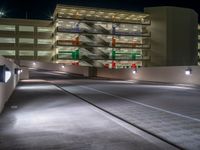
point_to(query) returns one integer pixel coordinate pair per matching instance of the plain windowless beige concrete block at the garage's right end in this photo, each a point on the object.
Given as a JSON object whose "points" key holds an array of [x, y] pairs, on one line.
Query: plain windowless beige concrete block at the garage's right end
{"points": [[173, 36]]}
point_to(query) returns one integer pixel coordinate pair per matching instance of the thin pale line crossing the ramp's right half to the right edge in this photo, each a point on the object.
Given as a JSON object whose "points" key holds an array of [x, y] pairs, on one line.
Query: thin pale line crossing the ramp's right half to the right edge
{"points": [[149, 106]]}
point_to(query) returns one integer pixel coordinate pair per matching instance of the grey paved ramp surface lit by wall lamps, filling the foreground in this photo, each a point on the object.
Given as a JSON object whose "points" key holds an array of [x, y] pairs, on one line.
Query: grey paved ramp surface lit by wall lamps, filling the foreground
{"points": [[70, 112]]}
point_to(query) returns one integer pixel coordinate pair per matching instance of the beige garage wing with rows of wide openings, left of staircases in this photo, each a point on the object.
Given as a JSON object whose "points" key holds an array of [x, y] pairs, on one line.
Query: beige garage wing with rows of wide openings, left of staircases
{"points": [[24, 39]]}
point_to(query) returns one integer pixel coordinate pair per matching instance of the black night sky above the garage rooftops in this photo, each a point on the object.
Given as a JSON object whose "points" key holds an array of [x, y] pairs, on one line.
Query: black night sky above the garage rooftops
{"points": [[42, 9]]}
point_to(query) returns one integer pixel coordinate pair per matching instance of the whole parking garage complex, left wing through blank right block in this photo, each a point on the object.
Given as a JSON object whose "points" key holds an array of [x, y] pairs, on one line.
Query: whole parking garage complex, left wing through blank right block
{"points": [[104, 38]]}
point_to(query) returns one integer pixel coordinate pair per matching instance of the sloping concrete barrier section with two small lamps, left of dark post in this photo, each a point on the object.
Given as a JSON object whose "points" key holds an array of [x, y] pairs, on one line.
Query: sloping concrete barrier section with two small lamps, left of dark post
{"points": [[56, 67]]}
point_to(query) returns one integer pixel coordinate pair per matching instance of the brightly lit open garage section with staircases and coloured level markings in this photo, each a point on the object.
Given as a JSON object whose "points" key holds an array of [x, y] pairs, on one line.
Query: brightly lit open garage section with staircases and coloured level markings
{"points": [[101, 37]]}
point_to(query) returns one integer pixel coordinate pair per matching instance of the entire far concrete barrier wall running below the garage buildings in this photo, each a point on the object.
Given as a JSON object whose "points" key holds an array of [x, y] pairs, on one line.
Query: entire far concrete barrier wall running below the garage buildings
{"points": [[174, 74]]}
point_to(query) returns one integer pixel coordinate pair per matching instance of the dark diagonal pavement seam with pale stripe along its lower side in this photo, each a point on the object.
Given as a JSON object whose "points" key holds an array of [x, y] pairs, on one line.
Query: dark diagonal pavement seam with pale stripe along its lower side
{"points": [[145, 134]]}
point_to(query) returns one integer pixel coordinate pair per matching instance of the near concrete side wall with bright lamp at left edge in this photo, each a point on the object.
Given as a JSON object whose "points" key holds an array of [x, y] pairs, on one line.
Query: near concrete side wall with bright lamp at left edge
{"points": [[6, 89]]}
